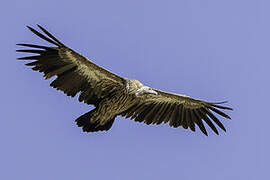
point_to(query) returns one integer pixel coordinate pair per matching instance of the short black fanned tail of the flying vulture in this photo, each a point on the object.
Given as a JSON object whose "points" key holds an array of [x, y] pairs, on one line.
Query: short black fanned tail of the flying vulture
{"points": [[84, 121]]}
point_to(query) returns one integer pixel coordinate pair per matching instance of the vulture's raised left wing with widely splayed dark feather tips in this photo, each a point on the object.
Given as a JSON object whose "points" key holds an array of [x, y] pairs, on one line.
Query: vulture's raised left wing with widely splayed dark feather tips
{"points": [[74, 72]]}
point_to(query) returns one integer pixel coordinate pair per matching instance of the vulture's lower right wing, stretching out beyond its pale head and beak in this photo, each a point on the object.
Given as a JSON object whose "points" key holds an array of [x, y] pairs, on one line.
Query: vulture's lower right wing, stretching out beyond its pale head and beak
{"points": [[178, 110]]}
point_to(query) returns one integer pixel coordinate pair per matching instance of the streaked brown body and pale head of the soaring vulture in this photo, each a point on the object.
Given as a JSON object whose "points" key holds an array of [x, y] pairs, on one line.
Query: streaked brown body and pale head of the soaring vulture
{"points": [[116, 103]]}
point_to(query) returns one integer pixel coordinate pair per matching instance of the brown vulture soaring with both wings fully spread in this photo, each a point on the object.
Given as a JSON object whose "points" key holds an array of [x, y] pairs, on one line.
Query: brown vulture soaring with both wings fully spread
{"points": [[113, 95]]}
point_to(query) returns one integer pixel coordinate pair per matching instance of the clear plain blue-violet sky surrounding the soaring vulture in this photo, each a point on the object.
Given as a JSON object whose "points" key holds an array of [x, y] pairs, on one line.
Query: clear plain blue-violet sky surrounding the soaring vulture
{"points": [[210, 49]]}
